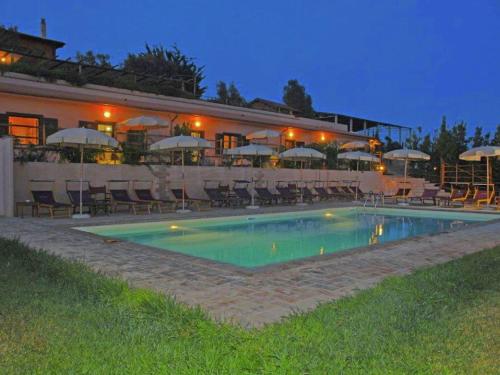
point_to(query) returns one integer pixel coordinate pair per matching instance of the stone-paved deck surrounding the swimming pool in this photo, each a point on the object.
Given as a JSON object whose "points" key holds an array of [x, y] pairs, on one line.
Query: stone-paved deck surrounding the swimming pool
{"points": [[246, 297]]}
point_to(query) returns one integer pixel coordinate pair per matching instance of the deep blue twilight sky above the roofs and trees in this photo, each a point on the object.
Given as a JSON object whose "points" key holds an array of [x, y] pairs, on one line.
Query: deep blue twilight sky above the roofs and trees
{"points": [[401, 61]]}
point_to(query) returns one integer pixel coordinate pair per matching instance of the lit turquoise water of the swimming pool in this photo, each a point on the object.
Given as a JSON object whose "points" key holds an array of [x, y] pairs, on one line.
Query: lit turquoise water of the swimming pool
{"points": [[259, 240]]}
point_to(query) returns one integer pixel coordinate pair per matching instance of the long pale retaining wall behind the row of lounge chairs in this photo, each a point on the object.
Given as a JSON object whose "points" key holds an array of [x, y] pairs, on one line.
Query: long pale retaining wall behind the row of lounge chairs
{"points": [[166, 177]]}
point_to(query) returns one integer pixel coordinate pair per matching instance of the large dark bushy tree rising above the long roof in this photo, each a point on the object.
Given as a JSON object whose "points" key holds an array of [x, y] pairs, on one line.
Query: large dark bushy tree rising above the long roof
{"points": [[168, 64]]}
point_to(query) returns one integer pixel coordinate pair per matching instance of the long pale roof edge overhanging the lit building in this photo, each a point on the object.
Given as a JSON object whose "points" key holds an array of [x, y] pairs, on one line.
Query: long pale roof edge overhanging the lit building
{"points": [[22, 84]]}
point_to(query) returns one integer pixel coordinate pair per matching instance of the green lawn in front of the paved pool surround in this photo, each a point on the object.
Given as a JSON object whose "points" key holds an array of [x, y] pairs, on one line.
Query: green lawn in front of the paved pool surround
{"points": [[59, 317]]}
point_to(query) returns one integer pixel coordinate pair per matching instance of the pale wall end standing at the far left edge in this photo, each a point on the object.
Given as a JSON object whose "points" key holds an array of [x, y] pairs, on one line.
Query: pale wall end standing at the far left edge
{"points": [[6, 177]]}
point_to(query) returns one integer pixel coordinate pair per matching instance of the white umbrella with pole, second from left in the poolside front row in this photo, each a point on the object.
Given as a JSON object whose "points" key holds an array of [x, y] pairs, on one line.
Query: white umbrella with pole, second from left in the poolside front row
{"points": [[181, 143]]}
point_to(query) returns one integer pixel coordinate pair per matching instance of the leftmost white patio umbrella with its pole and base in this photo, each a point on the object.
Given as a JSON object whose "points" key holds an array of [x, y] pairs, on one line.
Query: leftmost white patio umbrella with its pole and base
{"points": [[82, 138]]}
